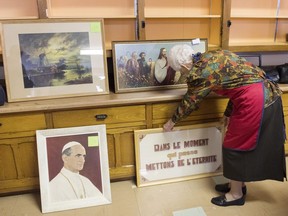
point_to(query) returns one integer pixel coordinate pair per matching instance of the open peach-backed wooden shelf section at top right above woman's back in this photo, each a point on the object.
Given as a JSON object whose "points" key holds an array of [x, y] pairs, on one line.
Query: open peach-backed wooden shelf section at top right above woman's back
{"points": [[257, 25]]}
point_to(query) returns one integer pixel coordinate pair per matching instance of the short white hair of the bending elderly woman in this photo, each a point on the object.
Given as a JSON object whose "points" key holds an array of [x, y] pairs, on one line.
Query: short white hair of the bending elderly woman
{"points": [[180, 55]]}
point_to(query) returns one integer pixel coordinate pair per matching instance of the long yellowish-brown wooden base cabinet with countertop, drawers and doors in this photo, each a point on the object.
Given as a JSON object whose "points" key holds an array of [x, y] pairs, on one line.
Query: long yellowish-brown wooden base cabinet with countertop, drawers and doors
{"points": [[123, 114]]}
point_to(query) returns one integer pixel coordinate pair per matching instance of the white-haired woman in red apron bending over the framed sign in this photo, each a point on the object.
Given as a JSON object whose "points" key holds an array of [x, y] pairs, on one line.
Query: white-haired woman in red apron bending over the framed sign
{"points": [[253, 147]]}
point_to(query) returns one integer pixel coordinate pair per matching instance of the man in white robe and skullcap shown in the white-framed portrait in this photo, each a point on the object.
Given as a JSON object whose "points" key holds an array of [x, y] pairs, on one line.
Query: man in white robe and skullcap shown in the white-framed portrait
{"points": [[68, 184]]}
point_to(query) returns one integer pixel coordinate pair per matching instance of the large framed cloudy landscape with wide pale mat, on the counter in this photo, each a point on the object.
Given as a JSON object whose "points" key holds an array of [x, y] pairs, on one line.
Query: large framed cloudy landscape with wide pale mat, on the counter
{"points": [[54, 58]]}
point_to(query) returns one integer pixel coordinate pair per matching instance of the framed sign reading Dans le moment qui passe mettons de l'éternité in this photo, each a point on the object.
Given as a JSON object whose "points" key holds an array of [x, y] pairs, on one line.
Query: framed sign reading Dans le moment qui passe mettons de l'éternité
{"points": [[185, 153]]}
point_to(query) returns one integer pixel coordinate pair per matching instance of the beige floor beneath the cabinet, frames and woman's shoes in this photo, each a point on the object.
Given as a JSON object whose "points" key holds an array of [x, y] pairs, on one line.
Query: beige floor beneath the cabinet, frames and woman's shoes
{"points": [[266, 198]]}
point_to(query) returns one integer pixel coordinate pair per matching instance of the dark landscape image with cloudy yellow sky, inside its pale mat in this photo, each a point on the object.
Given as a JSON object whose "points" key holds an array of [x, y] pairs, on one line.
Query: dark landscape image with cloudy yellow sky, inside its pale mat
{"points": [[53, 59]]}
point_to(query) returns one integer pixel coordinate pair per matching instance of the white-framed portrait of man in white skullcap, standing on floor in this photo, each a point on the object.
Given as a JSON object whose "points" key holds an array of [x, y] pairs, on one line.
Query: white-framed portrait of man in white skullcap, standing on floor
{"points": [[73, 168]]}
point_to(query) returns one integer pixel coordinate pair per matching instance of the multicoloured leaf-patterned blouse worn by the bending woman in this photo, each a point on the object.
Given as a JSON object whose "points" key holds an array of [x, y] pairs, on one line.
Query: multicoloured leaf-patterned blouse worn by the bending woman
{"points": [[221, 70]]}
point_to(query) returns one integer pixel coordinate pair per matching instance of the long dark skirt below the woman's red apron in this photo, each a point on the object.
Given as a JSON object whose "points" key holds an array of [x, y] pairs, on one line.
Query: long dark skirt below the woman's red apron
{"points": [[267, 160]]}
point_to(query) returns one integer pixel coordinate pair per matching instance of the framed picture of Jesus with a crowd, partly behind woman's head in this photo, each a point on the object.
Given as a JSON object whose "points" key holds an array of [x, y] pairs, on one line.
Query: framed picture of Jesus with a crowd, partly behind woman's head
{"points": [[138, 65]]}
